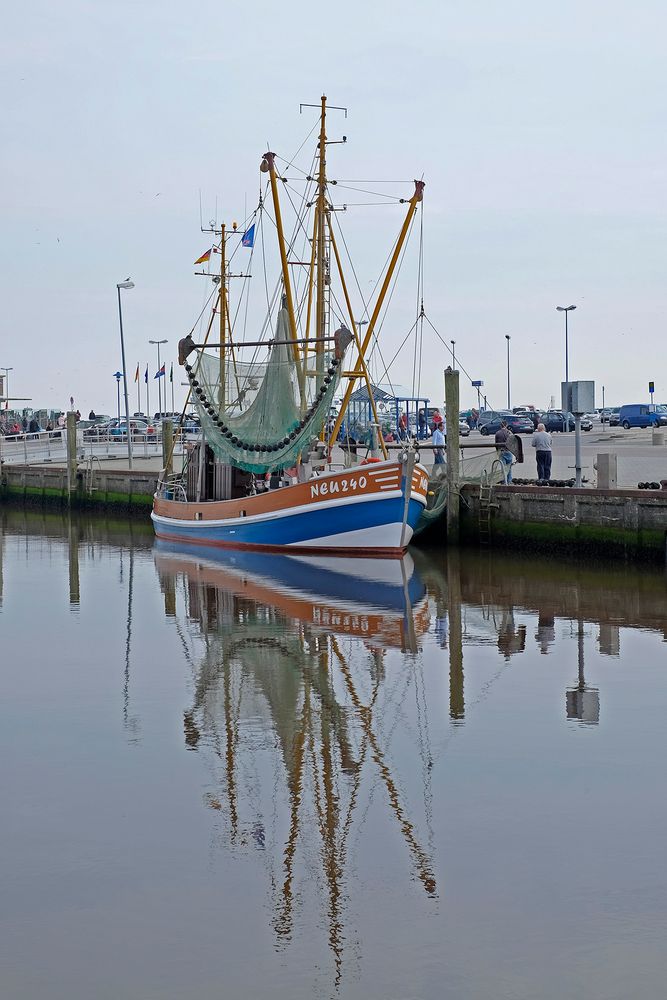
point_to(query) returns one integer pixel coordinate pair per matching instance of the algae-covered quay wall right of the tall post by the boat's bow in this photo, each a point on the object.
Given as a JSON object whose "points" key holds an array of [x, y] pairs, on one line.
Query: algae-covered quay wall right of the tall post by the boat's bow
{"points": [[630, 524]]}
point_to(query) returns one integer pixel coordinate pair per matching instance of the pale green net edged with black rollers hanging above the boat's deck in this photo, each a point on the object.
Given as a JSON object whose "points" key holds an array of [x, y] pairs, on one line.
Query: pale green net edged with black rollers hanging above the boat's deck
{"points": [[260, 423]]}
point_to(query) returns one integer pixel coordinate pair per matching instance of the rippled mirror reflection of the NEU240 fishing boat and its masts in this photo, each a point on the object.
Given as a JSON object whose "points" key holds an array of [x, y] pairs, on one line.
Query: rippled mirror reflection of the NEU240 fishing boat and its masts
{"points": [[291, 696]]}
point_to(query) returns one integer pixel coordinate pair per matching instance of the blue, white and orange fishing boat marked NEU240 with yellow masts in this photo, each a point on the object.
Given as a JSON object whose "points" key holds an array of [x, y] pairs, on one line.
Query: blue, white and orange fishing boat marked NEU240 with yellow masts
{"points": [[263, 475]]}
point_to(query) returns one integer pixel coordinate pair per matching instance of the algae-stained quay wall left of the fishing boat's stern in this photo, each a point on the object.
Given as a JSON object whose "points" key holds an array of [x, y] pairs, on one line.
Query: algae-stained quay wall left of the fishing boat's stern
{"points": [[112, 489]]}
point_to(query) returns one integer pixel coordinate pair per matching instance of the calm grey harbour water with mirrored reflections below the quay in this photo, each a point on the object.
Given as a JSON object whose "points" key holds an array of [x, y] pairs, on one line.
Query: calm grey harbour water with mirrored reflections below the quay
{"points": [[257, 776]]}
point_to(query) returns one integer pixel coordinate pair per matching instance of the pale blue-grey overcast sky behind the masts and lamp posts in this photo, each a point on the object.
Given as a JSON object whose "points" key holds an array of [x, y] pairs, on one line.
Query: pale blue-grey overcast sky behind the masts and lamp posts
{"points": [[539, 130]]}
